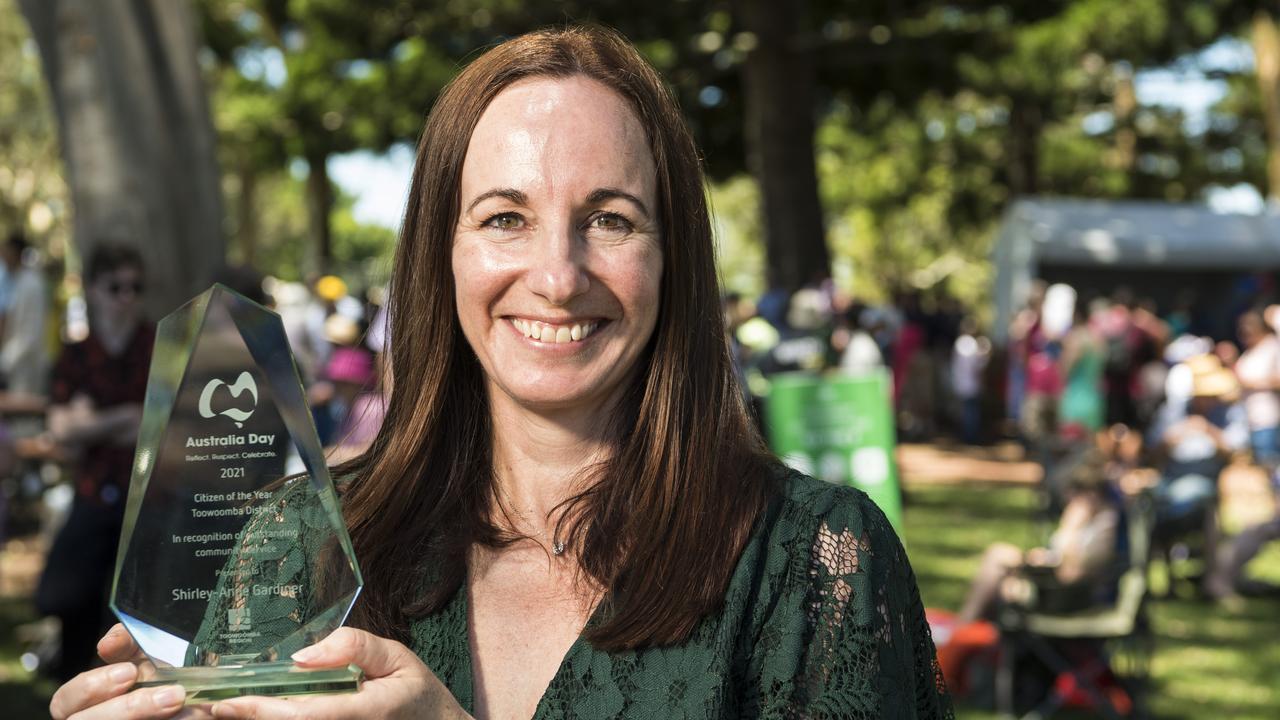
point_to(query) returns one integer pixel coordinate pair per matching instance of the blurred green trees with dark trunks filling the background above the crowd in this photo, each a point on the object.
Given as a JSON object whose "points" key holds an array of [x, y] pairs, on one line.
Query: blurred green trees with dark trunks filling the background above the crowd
{"points": [[875, 142]]}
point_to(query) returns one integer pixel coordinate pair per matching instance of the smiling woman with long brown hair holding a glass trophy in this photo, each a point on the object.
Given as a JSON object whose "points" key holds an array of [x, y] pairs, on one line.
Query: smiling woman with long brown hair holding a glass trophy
{"points": [[568, 512]]}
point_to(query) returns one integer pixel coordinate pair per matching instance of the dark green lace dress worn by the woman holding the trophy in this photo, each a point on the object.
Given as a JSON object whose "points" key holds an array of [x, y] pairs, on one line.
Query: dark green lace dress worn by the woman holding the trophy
{"points": [[822, 619]]}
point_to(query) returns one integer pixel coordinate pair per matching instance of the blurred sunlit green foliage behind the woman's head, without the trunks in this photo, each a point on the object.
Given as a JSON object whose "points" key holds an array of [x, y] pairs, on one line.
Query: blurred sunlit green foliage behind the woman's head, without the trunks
{"points": [[917, 136]]}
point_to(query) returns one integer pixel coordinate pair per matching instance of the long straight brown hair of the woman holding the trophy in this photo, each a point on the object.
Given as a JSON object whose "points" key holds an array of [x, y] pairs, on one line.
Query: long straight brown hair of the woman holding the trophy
{"points": [[664, 521]]}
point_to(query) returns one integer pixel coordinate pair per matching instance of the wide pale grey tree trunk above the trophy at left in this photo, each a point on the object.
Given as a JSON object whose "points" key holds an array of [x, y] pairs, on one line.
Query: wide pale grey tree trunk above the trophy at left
{"points": [[136, 135]]}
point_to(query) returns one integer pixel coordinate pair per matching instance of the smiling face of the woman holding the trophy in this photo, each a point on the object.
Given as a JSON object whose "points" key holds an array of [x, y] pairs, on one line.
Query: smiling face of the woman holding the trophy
{"points": [[556, 256]]}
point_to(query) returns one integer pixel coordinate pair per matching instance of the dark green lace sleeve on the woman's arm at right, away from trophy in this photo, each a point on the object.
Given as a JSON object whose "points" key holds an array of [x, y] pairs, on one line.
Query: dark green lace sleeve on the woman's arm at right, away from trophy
{"points": [[848, 636]]}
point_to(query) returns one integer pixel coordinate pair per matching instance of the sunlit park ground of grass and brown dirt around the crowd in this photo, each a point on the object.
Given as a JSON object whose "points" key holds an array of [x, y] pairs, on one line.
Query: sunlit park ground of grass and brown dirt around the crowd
{"points": [[1209, 662]]}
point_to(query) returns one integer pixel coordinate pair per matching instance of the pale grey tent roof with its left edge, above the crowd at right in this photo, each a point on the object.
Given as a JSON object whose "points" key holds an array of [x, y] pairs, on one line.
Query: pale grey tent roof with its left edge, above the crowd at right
{"points": [[1146, 236]]}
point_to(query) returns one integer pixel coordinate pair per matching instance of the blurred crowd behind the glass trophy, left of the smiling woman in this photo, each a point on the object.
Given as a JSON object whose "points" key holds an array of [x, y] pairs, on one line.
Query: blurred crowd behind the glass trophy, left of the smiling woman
{"points": [[74, 379]]}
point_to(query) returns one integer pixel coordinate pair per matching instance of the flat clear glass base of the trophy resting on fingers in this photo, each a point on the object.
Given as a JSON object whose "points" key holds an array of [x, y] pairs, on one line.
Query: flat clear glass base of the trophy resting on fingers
{"points": [[273, 680]]}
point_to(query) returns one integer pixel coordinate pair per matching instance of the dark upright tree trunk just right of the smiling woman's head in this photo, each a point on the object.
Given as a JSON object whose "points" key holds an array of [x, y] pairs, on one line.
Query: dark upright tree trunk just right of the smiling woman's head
{"points": [[779, 93]]}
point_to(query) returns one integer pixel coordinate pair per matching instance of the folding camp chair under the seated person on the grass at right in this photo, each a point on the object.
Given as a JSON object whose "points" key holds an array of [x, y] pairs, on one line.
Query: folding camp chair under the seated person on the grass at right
{"points": [[1110, 634]]}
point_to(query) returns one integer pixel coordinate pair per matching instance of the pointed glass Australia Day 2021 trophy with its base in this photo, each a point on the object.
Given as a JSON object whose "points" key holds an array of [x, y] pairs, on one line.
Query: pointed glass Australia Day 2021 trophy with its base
{"points": [[234, 554]]}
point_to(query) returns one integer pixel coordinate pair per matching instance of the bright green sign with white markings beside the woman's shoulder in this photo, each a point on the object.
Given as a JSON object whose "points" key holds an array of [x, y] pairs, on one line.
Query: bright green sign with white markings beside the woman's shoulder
{"points": [[838, 429]]}
